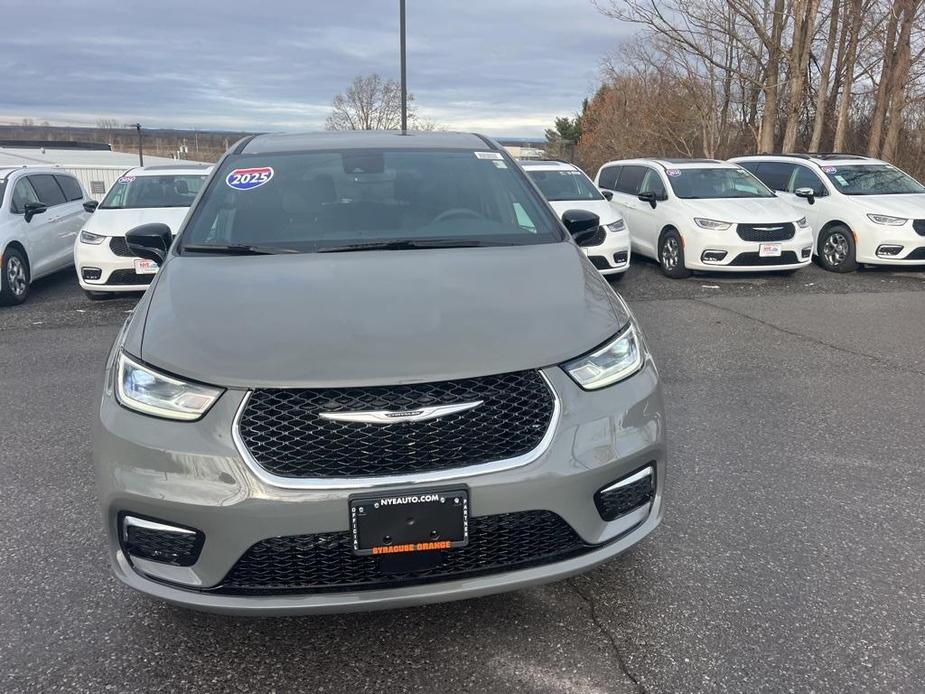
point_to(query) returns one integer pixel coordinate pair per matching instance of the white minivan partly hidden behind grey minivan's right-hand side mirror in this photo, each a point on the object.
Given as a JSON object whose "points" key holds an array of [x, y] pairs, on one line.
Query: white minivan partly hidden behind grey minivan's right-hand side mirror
{"points": [[566, 187]]}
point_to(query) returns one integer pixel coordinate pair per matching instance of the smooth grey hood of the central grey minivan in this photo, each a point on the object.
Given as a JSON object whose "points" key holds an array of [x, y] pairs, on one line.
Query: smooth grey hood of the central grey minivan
{"points": [[373, 317]]}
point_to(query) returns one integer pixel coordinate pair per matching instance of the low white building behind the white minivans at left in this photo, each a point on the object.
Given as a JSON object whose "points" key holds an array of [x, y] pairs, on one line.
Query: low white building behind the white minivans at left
{"points": [[94, 164]]}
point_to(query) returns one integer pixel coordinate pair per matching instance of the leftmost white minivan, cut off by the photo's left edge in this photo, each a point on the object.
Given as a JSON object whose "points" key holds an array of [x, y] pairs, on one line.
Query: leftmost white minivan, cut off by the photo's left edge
{"points": [[41, 212]]}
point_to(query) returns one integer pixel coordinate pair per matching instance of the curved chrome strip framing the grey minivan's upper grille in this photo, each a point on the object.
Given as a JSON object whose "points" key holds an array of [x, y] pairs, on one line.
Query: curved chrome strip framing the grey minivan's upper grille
{"points": [[408, 479]]}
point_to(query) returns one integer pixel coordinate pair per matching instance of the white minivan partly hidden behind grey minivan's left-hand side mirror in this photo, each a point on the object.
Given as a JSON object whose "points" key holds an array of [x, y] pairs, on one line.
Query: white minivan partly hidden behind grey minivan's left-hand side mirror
{"points": [[140, 196]]}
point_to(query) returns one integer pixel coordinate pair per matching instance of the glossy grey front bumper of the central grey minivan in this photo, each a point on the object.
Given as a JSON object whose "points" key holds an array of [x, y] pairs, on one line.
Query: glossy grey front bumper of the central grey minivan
{"points": [[203, 482]]}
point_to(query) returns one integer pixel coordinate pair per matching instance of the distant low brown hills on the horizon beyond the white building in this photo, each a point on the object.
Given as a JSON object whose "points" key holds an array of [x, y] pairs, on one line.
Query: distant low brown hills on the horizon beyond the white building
{"points": [[200, 145]]}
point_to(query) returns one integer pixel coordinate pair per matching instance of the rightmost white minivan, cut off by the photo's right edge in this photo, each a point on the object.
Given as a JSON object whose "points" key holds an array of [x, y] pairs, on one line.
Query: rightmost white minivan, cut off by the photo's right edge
{"points": [[863, 210]]}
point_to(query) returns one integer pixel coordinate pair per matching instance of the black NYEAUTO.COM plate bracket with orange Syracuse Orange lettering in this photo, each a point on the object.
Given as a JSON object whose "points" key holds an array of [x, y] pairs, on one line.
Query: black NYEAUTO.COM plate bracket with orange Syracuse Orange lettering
{"points": [[418, 521]]}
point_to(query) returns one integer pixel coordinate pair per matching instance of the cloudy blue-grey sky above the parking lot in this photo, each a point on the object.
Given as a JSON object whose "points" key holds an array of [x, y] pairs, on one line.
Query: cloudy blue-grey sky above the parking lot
{"points": [[504, 67]]}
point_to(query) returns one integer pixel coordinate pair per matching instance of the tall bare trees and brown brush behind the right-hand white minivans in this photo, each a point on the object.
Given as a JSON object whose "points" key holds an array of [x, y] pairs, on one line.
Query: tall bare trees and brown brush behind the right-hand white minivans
{"points": [[717, 78]]}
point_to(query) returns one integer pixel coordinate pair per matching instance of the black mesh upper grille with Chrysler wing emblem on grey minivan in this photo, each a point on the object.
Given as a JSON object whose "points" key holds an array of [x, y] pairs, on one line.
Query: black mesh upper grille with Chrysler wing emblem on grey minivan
{"points": [[282, 429]]}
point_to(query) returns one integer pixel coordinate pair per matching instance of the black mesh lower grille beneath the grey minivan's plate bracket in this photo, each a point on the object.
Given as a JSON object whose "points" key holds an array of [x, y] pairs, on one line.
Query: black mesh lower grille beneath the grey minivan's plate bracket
{"points": [[325, 562]]}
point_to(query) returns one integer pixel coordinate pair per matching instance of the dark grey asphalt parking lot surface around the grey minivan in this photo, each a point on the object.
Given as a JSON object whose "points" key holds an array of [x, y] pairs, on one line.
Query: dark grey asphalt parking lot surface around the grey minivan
{"points": [[791, 557]]}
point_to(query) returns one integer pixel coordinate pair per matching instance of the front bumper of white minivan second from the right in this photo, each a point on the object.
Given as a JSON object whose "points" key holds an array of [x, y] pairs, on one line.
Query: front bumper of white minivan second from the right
{"points": [[741, 255]]}
